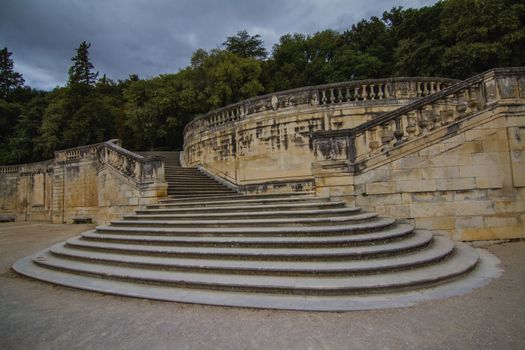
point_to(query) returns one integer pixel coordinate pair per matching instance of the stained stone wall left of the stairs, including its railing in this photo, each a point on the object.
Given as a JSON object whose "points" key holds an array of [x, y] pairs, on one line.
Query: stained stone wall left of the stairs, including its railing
{"points": [[100, 182]]}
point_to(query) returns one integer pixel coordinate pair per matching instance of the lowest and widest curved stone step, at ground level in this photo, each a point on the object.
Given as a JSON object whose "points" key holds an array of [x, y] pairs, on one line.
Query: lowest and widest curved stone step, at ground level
{"points": [[484, 272]]}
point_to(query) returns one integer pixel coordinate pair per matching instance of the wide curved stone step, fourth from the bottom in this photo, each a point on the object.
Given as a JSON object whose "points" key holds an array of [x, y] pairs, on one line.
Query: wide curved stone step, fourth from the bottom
{"points": [[413, 242]]}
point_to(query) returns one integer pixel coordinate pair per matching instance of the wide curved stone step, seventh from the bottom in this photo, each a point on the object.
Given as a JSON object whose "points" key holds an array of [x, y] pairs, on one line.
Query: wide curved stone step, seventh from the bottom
{"points": [[268, 222]]}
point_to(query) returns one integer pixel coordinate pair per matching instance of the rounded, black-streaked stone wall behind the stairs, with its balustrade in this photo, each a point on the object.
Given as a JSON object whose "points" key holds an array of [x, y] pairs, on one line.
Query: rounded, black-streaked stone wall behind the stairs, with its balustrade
{"points": [[264, 144]]}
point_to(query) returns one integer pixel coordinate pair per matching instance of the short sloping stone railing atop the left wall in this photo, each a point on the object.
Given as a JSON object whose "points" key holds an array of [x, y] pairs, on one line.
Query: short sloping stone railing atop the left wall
{"points": [[141, 169]]}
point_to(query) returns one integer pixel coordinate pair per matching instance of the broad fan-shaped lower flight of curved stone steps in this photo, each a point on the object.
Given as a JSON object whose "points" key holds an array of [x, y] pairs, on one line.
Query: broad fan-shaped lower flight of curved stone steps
{"points": [[287, 251]]}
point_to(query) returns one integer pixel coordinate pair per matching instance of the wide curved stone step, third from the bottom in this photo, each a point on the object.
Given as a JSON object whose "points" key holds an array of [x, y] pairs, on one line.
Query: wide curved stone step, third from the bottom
{"points": [[440, 249]]}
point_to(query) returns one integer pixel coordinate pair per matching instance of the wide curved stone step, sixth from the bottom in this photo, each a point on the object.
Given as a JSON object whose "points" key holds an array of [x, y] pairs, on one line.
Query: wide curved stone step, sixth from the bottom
{"points": [[320, 230]]}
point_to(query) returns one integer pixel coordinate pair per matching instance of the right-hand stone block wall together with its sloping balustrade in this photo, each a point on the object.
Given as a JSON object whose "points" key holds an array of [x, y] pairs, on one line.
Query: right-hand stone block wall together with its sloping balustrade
{"points": [[458, 171]]}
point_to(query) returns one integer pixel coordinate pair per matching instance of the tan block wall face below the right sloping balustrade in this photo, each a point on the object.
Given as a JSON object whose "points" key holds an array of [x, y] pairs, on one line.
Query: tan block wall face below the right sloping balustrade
{"points": [[469, 186]]}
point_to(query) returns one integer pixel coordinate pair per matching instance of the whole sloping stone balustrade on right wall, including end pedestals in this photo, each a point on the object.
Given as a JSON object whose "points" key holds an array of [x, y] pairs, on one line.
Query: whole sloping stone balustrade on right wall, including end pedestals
{"points": [[417, 119]]}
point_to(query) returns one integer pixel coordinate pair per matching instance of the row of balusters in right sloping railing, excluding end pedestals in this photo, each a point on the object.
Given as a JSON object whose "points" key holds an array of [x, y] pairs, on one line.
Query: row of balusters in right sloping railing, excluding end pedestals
{"points": [[418, 122]]}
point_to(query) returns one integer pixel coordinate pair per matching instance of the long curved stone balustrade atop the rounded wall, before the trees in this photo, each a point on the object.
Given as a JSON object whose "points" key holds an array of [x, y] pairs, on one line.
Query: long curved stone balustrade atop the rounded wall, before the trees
{"points": [[321, 95]]}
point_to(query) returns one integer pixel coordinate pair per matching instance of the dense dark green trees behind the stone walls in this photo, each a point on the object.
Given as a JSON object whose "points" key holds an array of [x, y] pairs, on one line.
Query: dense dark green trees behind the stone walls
{"points": [[452, 38]]}
